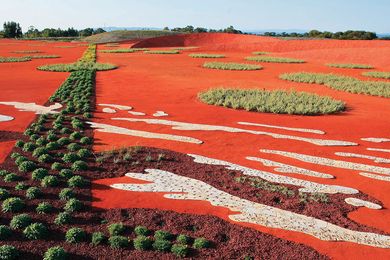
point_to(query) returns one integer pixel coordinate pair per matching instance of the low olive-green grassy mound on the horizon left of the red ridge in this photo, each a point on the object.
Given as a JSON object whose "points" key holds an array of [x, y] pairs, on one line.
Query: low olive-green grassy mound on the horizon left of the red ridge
{"points": [[126, 35]]}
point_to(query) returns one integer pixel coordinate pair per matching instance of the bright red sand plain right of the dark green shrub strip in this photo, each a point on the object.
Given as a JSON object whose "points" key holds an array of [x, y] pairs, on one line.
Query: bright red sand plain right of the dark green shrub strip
{"points": [[171, 83]]}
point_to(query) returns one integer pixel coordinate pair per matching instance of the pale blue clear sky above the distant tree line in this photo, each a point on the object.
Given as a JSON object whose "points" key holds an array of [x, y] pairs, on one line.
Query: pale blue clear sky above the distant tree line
{"points": [[330, 15]]}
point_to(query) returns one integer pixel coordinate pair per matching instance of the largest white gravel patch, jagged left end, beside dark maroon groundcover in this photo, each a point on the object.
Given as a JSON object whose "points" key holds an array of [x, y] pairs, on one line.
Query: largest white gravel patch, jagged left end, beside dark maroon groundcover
{"points": [[184, 188]]}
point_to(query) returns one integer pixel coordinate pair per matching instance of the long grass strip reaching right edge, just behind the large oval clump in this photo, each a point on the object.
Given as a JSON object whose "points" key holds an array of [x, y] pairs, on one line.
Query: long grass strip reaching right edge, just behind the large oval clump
{"points": [[343, 83]]}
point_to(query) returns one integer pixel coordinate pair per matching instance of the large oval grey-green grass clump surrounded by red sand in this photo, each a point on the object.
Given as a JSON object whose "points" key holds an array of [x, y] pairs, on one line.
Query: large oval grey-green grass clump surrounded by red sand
{"points": [[275, 101]]}
